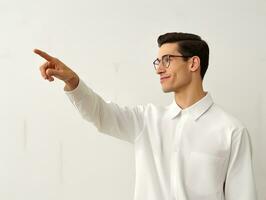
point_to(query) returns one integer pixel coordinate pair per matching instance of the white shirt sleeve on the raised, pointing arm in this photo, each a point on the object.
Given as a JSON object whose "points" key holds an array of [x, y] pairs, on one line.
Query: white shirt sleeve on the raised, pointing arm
{"points": [[124, 123]]}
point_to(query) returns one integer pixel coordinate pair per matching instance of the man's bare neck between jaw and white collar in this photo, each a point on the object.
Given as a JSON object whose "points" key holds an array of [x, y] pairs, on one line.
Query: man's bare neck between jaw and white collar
{"points": [[190, 95]]}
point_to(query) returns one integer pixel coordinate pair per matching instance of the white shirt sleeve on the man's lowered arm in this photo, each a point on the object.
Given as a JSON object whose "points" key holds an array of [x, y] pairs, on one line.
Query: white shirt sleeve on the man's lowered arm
{"points": [[240, 182]]}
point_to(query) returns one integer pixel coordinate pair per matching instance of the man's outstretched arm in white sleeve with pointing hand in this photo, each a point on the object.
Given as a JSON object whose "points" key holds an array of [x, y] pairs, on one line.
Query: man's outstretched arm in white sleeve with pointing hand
{"points": [[121, 122]]}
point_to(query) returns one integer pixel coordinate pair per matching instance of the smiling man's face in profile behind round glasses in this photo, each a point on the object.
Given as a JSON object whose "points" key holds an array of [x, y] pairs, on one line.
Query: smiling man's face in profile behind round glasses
{"points": [[178, 75]]}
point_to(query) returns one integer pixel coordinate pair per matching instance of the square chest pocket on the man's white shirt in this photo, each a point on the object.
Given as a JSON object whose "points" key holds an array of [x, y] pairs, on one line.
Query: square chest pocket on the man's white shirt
{"points": [[204, 173]]}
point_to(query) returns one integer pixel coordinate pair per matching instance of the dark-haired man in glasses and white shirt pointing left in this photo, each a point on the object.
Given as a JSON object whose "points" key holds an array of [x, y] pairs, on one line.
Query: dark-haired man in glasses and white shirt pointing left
{"points": [[188, 150]]}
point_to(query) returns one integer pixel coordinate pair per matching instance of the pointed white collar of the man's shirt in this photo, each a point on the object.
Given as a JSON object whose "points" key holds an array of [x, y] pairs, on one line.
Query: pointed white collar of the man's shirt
{"points": [[194, 111]]}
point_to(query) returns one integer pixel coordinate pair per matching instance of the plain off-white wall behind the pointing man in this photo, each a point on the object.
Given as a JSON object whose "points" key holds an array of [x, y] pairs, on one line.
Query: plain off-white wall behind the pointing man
{"points": [[47, 152]]}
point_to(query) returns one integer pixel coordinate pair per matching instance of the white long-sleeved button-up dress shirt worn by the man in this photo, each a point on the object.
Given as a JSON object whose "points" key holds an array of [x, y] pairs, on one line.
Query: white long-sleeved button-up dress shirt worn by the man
{"points": [[198, 153]]}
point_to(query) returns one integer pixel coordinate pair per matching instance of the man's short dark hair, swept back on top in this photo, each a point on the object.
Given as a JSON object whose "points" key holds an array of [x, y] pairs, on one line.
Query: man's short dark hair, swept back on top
{"points": [[189, 45]]}
